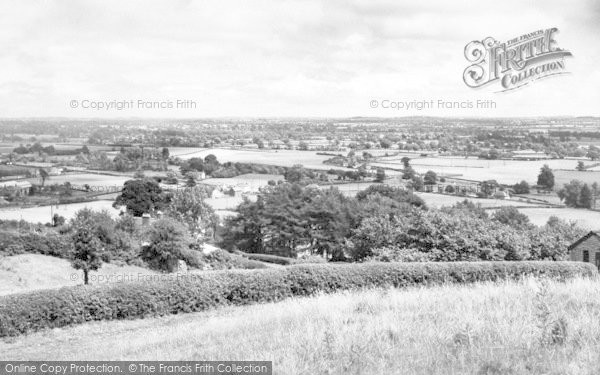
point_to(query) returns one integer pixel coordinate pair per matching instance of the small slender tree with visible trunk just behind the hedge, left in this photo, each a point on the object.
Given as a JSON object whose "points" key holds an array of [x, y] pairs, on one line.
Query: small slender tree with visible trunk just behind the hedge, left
{"points": [[86, 255]]}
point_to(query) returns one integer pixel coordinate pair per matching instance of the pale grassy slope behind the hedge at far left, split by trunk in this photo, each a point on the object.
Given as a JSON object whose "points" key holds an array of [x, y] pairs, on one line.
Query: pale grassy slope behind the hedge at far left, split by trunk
{"points": [[22, 273]]}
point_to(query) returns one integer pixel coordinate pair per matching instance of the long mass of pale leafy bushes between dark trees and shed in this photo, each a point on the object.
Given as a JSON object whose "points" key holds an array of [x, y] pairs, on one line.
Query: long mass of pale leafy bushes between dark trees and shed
{"points": [[459, 234]]}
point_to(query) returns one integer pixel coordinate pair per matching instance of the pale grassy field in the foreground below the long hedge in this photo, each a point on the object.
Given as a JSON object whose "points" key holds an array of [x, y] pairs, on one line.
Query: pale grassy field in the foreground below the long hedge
{"points": [[485, 328]]}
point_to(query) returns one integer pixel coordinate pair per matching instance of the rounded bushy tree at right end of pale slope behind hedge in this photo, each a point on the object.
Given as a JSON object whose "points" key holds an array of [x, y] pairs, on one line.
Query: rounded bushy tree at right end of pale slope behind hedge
{"points": [[167, 240]]}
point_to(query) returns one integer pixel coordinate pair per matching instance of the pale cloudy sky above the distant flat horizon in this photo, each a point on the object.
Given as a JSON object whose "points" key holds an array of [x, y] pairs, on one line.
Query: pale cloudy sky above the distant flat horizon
{"points": [[259, 58]]}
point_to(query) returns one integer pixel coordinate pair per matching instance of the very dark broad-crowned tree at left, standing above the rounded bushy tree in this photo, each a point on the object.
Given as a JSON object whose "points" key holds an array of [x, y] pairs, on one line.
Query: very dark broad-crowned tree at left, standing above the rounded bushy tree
{"points": [[141, 196]]}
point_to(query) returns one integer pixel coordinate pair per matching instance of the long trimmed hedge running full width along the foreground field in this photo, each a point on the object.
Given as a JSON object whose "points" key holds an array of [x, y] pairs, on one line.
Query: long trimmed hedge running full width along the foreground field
{"points": [[23, 313]]}
